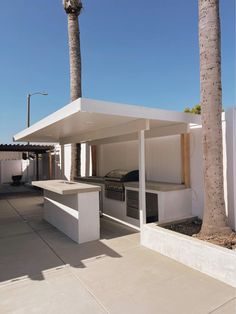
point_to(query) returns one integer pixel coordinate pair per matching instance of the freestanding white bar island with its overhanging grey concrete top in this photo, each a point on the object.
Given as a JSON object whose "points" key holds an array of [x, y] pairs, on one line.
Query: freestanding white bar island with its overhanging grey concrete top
{"points": [[72, 207]]}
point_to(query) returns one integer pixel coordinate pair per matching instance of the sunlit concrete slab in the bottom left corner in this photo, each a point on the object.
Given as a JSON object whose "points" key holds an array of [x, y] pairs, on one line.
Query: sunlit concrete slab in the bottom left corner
{"points": [[59, 292]]}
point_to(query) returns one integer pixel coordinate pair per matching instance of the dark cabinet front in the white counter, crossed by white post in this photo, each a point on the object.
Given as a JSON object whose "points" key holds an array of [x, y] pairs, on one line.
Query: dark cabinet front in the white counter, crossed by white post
{"points": [[132, 205]]}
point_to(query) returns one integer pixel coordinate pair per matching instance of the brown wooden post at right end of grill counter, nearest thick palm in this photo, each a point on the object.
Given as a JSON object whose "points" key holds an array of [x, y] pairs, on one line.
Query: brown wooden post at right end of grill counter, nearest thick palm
{"points": [[185, 157]]}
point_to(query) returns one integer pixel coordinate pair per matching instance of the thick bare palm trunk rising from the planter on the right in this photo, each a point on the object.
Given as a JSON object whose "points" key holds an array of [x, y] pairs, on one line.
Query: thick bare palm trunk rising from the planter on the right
{"points": [[214, 218]]}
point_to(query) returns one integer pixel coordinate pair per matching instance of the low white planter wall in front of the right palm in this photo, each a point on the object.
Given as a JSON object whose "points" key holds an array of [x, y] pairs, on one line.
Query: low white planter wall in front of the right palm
{"points": [[215, 261]]}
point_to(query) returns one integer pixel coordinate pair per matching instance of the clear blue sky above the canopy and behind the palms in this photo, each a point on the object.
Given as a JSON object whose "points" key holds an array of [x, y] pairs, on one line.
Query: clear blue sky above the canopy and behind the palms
{"points": [[137, 52]]}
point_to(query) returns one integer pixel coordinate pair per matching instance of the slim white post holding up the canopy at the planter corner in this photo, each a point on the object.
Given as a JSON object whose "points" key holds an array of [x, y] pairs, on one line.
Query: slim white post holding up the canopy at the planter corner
{"points": [[142, 184]]}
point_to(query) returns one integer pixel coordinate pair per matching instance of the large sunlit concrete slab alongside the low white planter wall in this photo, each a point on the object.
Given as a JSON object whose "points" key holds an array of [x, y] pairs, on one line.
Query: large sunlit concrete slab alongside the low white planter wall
{"points": [[145, 282]]}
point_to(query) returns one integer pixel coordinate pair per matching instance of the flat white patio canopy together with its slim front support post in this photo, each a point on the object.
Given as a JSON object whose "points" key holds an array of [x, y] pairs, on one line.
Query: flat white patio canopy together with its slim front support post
{"points": [[86, 120]]}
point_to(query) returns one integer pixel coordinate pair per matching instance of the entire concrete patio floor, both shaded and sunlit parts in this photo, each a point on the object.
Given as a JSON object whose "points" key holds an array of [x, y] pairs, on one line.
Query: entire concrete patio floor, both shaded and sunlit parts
{"points": [[43, 271]]}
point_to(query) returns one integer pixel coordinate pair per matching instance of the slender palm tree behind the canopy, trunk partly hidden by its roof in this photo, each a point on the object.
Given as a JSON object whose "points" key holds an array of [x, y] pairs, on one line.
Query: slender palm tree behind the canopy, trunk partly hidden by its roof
{"points": [[73, 9]]}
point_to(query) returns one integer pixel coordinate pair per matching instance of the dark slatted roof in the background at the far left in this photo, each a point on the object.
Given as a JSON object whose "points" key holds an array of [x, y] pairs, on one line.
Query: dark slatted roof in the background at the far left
{"points": [[25, 148]]}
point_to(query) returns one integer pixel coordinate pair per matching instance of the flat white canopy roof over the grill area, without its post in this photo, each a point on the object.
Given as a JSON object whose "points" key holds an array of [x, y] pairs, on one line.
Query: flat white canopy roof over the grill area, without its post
{"points": [[88, 120]]}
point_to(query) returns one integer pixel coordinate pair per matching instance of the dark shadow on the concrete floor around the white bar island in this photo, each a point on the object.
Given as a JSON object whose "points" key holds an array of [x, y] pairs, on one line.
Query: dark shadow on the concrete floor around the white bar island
{"points": [[30, 246]]}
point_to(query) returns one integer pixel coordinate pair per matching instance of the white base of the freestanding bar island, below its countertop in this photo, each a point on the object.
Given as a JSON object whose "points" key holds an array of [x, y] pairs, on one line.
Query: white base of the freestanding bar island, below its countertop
{"points": [[76, 215]]}
